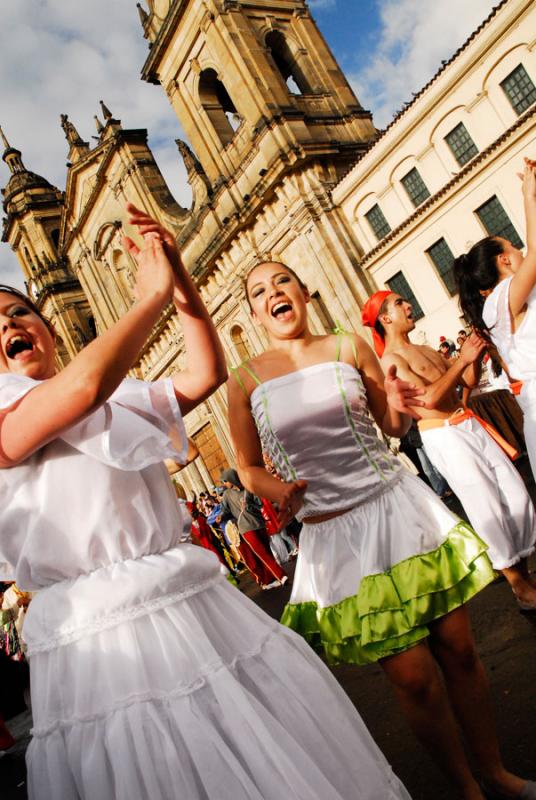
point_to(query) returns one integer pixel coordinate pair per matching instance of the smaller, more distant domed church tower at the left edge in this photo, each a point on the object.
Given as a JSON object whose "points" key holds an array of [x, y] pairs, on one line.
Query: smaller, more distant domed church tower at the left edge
{"points": [[32, 225]]}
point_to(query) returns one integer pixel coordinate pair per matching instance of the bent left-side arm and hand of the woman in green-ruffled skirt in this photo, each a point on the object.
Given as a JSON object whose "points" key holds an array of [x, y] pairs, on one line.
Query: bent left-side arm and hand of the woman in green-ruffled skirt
{"points": [[249, 461]]}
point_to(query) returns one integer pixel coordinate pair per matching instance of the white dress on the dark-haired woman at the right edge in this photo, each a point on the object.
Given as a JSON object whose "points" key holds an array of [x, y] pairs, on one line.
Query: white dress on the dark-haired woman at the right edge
{"points": [[518, 351]]}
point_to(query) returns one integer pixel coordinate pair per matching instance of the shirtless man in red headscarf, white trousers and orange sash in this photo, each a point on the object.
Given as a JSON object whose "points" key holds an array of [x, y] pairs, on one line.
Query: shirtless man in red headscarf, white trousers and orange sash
{"points": [[487, 484]]}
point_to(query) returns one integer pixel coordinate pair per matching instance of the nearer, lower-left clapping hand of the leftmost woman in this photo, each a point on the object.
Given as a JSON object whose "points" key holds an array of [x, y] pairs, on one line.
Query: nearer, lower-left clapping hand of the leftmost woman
{"points": [[155, 274]]}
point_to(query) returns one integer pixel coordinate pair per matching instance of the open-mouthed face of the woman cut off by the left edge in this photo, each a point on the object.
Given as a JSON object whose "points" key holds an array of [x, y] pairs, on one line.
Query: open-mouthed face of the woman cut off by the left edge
{"points": [[26, 342]]}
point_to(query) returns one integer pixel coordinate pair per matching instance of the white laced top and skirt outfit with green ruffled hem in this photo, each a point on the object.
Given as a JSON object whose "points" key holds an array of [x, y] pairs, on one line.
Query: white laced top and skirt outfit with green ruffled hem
{"points": [[369, 582]]}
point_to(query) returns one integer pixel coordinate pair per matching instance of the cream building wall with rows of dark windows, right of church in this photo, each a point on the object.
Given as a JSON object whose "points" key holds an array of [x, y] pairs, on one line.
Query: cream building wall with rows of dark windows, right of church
{"points": [[467, 90]]}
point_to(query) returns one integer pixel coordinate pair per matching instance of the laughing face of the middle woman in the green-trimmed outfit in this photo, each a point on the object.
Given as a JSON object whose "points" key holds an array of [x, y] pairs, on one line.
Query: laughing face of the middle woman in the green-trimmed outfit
{"points": [[278, 300]]}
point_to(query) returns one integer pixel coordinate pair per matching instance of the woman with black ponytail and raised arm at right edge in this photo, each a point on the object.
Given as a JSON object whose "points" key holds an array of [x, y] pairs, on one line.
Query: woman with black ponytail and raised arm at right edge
{"points": [[496, 285]]}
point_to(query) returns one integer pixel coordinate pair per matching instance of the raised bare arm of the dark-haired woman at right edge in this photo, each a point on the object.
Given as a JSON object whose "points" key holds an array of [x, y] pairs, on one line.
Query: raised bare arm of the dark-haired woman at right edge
{"points": [[524, 278]]}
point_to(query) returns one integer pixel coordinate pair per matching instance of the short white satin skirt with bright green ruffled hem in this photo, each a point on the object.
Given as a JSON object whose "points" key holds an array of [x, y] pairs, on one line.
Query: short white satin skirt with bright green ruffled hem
{"points": [[369, 582]]}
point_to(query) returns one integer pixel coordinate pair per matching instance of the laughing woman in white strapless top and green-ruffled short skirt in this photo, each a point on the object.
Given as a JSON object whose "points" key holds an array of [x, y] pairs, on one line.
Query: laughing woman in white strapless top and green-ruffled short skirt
{"points": [[384, 568]]}
